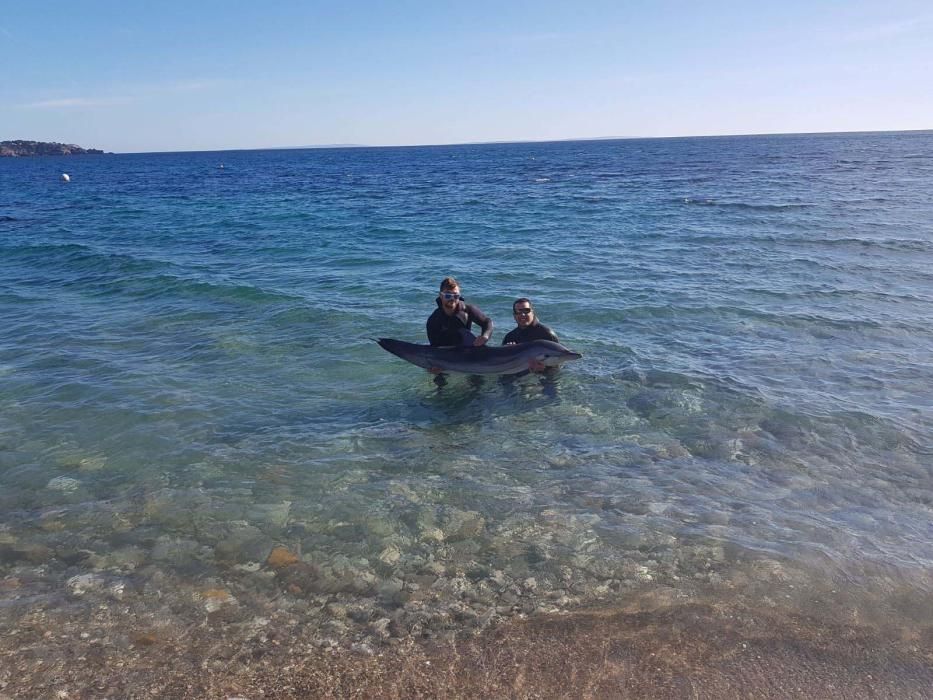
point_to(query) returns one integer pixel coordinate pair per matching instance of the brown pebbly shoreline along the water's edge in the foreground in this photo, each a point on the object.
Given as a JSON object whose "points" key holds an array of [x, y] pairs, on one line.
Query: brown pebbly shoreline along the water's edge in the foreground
{"points": [[650, 648]]}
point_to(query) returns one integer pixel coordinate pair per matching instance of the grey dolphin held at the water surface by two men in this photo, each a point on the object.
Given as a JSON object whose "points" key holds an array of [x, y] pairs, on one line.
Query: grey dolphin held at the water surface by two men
{"points": [[502, 359]]}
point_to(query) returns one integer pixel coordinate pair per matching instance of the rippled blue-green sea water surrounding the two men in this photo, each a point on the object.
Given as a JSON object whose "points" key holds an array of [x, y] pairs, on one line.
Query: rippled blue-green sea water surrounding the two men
{"points": [[188, 380]]}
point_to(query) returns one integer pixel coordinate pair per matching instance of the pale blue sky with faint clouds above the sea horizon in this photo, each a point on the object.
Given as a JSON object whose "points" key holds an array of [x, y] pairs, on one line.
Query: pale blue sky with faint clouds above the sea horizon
{"points": [[133, 76]]}
